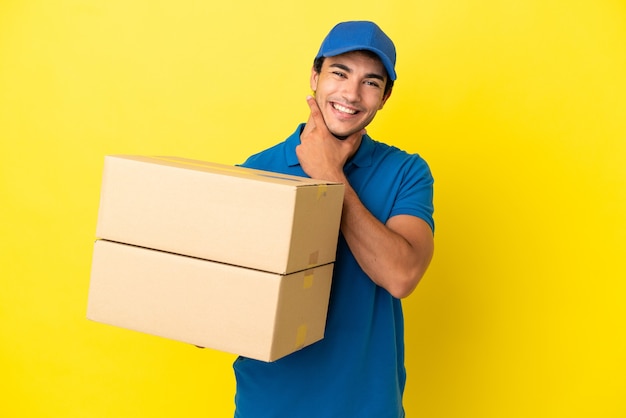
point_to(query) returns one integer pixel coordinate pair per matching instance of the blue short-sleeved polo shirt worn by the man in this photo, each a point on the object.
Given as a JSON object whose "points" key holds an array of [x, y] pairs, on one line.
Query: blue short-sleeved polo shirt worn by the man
{"points": [[357, 370]]}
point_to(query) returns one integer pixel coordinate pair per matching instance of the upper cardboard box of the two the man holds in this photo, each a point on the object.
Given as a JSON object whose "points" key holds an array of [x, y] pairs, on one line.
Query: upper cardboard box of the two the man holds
{"points": [[240, 216]]}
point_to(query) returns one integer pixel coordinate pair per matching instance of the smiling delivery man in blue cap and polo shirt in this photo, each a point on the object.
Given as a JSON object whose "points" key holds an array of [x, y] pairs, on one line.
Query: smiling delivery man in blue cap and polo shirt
{"points": [[385, 243]]}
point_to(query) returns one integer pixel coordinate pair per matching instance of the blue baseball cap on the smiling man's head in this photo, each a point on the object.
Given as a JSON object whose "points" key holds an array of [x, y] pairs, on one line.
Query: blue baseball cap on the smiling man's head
{"points": [[360, 35]]}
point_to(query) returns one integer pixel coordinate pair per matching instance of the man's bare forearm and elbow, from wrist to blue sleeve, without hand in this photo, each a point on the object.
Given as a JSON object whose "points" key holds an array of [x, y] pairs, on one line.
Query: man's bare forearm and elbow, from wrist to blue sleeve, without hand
{"points": [[393, 261]]}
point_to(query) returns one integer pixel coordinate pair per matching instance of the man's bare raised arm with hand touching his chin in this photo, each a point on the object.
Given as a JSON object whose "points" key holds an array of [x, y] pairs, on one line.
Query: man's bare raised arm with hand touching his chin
{"points": [[394, 255]]}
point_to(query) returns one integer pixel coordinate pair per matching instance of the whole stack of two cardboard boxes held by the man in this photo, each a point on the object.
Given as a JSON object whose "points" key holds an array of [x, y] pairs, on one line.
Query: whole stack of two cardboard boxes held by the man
{"points": [[230, 258]]}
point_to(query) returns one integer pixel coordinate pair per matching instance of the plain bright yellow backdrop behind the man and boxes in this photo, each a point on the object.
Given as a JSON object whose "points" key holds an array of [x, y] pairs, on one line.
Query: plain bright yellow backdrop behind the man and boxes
{"points": [[519, 107]]}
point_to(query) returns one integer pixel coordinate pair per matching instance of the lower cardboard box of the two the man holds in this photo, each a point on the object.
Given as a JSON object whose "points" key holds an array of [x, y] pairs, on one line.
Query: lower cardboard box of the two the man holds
{"points": [[256, 314]]}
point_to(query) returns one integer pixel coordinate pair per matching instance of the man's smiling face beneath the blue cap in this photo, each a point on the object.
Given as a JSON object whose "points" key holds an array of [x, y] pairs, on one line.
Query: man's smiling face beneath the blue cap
{"points": [[349, 90]]}
